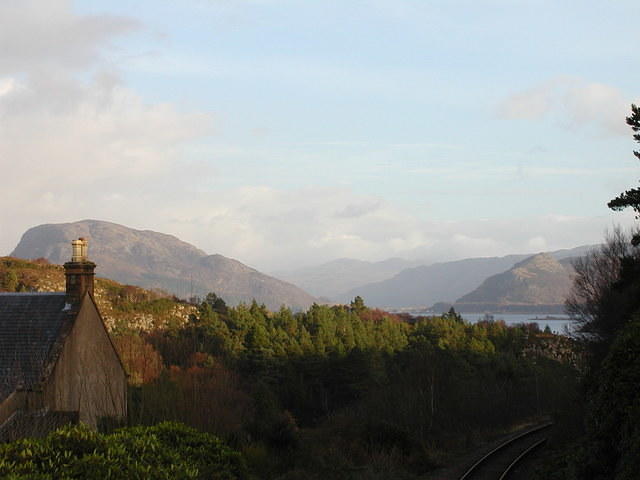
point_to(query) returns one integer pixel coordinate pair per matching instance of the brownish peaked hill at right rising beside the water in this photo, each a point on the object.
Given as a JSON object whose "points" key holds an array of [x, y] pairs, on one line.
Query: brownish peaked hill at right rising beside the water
{"points": [[537, 282]]}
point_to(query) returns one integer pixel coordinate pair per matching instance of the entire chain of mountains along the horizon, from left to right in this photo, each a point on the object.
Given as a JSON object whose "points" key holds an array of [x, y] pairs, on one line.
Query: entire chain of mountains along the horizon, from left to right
{"points": [[156, 260]]}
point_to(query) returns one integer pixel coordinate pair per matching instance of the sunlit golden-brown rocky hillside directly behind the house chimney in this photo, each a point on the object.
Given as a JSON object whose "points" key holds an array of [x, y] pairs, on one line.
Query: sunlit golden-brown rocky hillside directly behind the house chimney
{"points": [[123, 307]]}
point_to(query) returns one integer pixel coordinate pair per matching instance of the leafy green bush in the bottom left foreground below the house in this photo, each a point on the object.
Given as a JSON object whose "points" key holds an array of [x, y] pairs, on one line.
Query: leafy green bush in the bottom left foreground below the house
{"points": [[165, 451]]}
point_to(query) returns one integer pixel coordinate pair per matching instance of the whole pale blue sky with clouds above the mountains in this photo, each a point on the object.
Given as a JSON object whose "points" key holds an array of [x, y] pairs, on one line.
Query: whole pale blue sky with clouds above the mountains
{"points": [[286, 133]]}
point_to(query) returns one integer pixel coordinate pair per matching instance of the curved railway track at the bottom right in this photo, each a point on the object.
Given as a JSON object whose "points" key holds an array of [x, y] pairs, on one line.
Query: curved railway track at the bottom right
{"points": [[501, 462]]}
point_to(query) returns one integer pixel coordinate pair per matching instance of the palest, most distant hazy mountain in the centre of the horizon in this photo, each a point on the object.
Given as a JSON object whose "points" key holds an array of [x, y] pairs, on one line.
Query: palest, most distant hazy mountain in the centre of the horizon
{"points": [[332, 278]]}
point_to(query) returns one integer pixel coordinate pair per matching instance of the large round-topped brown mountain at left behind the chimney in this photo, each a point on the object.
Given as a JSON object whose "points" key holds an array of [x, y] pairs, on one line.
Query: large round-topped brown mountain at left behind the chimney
{"points": [[156, 260]]}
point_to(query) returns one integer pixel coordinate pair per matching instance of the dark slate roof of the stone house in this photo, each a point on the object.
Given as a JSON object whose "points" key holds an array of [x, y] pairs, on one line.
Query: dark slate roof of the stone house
{"points": [[31, 325]]}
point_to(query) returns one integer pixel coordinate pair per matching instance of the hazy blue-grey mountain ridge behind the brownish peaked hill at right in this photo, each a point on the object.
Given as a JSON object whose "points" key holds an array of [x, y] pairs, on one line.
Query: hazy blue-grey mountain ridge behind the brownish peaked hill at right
{"points": [[441, 282]]}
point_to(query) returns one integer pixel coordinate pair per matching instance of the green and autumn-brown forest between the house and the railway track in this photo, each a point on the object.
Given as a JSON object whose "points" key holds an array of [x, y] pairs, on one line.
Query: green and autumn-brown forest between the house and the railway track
{"points": [[345, 391]]}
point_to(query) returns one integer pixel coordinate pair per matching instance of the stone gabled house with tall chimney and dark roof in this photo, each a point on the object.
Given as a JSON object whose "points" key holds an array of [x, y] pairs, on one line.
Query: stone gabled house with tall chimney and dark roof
{"points": [[57, 361]]}
